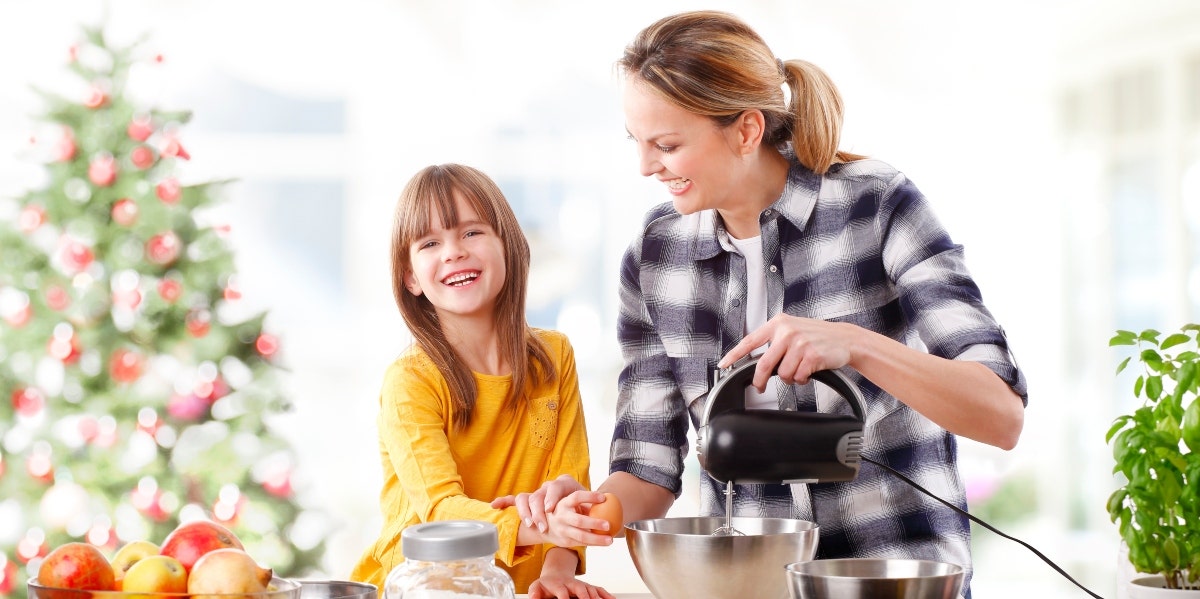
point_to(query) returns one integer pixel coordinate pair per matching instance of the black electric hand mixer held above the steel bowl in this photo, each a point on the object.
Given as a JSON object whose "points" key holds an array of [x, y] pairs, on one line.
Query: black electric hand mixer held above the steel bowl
{"points": [[740, 446]]}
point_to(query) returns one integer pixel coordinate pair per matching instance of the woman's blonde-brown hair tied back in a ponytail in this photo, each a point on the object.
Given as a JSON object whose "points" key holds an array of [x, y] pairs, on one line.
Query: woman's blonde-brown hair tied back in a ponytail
{"points": [[715, 65]]}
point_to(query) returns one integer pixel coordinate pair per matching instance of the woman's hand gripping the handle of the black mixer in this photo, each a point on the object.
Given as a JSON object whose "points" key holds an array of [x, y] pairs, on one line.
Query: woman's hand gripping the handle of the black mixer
{"points": [[797, 348]]}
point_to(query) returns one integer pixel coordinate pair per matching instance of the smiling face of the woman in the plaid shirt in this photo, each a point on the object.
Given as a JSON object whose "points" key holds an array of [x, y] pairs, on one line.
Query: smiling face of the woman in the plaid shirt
{"points": [[697, 160]]}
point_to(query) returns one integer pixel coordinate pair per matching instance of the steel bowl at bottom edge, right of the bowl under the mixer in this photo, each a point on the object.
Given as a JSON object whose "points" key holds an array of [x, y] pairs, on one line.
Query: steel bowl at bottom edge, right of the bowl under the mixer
{"points": [[875, 579]]}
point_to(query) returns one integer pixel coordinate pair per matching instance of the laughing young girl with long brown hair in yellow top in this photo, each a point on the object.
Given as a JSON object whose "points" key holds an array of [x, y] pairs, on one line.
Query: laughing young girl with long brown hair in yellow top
{"points": [[482, 406]]}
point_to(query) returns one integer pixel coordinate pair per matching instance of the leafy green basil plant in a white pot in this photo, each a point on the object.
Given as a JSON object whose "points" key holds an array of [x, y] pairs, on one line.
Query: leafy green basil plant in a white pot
{"points": [[1157, 451]]}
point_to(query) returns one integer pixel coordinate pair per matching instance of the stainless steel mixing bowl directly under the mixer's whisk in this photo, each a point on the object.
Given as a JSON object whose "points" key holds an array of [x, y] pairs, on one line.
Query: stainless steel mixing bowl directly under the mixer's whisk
{"points": [[681, 559]]}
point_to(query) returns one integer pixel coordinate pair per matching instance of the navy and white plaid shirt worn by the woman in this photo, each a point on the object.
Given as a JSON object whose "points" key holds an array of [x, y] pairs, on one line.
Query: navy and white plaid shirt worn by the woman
{"points": [[859, 245]]}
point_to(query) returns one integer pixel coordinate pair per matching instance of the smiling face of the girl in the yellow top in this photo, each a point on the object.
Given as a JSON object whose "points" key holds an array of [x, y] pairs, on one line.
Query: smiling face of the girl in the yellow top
{"points": [[459, 269]]}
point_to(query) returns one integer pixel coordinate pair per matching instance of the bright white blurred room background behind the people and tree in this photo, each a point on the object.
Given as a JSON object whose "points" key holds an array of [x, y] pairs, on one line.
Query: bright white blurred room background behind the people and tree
{"points": [[1059, 141]]}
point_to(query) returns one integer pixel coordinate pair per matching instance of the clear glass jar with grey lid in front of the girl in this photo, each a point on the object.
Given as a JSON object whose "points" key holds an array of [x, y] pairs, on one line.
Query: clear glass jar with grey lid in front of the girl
{"points": [[449, 560]]}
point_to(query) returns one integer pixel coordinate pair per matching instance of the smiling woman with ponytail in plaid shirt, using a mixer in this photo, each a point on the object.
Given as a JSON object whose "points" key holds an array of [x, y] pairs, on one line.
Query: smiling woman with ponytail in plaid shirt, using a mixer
{"points": [[778, 244]]}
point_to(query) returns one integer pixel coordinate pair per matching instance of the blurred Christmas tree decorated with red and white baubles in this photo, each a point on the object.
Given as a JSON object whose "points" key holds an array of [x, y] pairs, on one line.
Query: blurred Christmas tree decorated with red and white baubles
{"points": [[135, 391]]}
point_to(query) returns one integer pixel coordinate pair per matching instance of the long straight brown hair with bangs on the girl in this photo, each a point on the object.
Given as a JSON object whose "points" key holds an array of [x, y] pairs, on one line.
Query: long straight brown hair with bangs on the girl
{"points": [[431, 194]]}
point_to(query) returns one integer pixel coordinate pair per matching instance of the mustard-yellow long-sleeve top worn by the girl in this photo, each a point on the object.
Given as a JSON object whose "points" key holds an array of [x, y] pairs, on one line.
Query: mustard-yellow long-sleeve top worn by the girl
{"points": [[434, 471]]}
